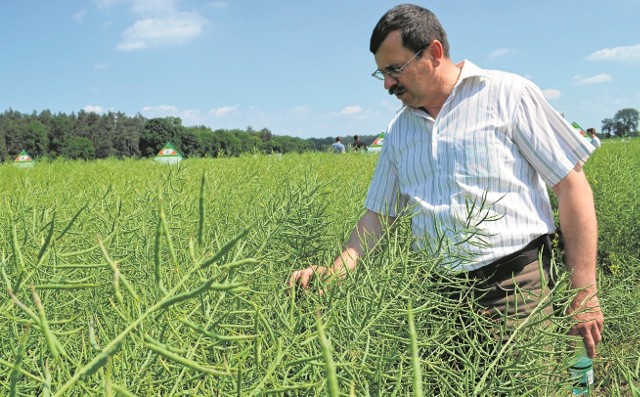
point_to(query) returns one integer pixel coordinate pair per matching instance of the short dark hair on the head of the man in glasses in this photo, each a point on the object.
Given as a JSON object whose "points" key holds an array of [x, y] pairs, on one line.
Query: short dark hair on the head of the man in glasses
{"points": [[418, 26]]}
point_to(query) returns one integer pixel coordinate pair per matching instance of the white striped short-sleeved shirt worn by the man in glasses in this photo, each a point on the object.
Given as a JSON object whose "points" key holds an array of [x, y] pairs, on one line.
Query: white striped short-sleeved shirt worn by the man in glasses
{"points": [[496, 141]]}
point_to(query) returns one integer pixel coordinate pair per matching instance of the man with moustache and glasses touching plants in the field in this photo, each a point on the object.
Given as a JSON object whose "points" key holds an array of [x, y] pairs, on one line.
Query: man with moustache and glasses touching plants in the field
{"points": [[468, 135]]}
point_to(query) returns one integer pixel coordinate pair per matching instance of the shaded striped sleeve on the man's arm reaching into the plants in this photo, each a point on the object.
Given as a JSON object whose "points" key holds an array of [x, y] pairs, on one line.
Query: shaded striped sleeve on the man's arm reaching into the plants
{"points": [[383, 195]]}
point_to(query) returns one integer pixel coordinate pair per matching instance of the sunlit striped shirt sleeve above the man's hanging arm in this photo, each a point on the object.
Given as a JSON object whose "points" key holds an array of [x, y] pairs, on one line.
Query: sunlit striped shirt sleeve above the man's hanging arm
{"points": [[549, 143]]}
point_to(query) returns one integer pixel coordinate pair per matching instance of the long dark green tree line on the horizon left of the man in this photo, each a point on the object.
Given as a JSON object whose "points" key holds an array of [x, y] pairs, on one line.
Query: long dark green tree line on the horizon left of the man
{"points": [[88, 135]]}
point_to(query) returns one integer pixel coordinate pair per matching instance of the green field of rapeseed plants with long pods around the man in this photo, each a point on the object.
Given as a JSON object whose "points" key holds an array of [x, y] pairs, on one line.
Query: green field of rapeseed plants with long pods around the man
{"points": [[132, 278]]}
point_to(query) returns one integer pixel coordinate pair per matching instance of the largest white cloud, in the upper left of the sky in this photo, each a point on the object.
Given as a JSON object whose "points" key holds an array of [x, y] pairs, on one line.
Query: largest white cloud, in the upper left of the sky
{"points": [[151, 33]]}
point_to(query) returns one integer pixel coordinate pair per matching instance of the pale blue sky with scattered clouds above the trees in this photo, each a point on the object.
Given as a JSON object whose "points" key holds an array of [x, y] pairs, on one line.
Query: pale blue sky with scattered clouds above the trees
{"points": [[298, 68]]}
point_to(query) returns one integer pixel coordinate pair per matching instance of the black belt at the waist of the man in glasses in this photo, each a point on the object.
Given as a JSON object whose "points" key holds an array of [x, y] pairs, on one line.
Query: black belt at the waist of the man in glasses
{"points": [[515, 262]]}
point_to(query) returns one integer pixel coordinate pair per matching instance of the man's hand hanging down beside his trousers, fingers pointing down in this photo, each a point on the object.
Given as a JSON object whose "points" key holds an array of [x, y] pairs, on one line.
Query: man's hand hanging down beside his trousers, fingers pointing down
{"points": [[587, 314]]}
